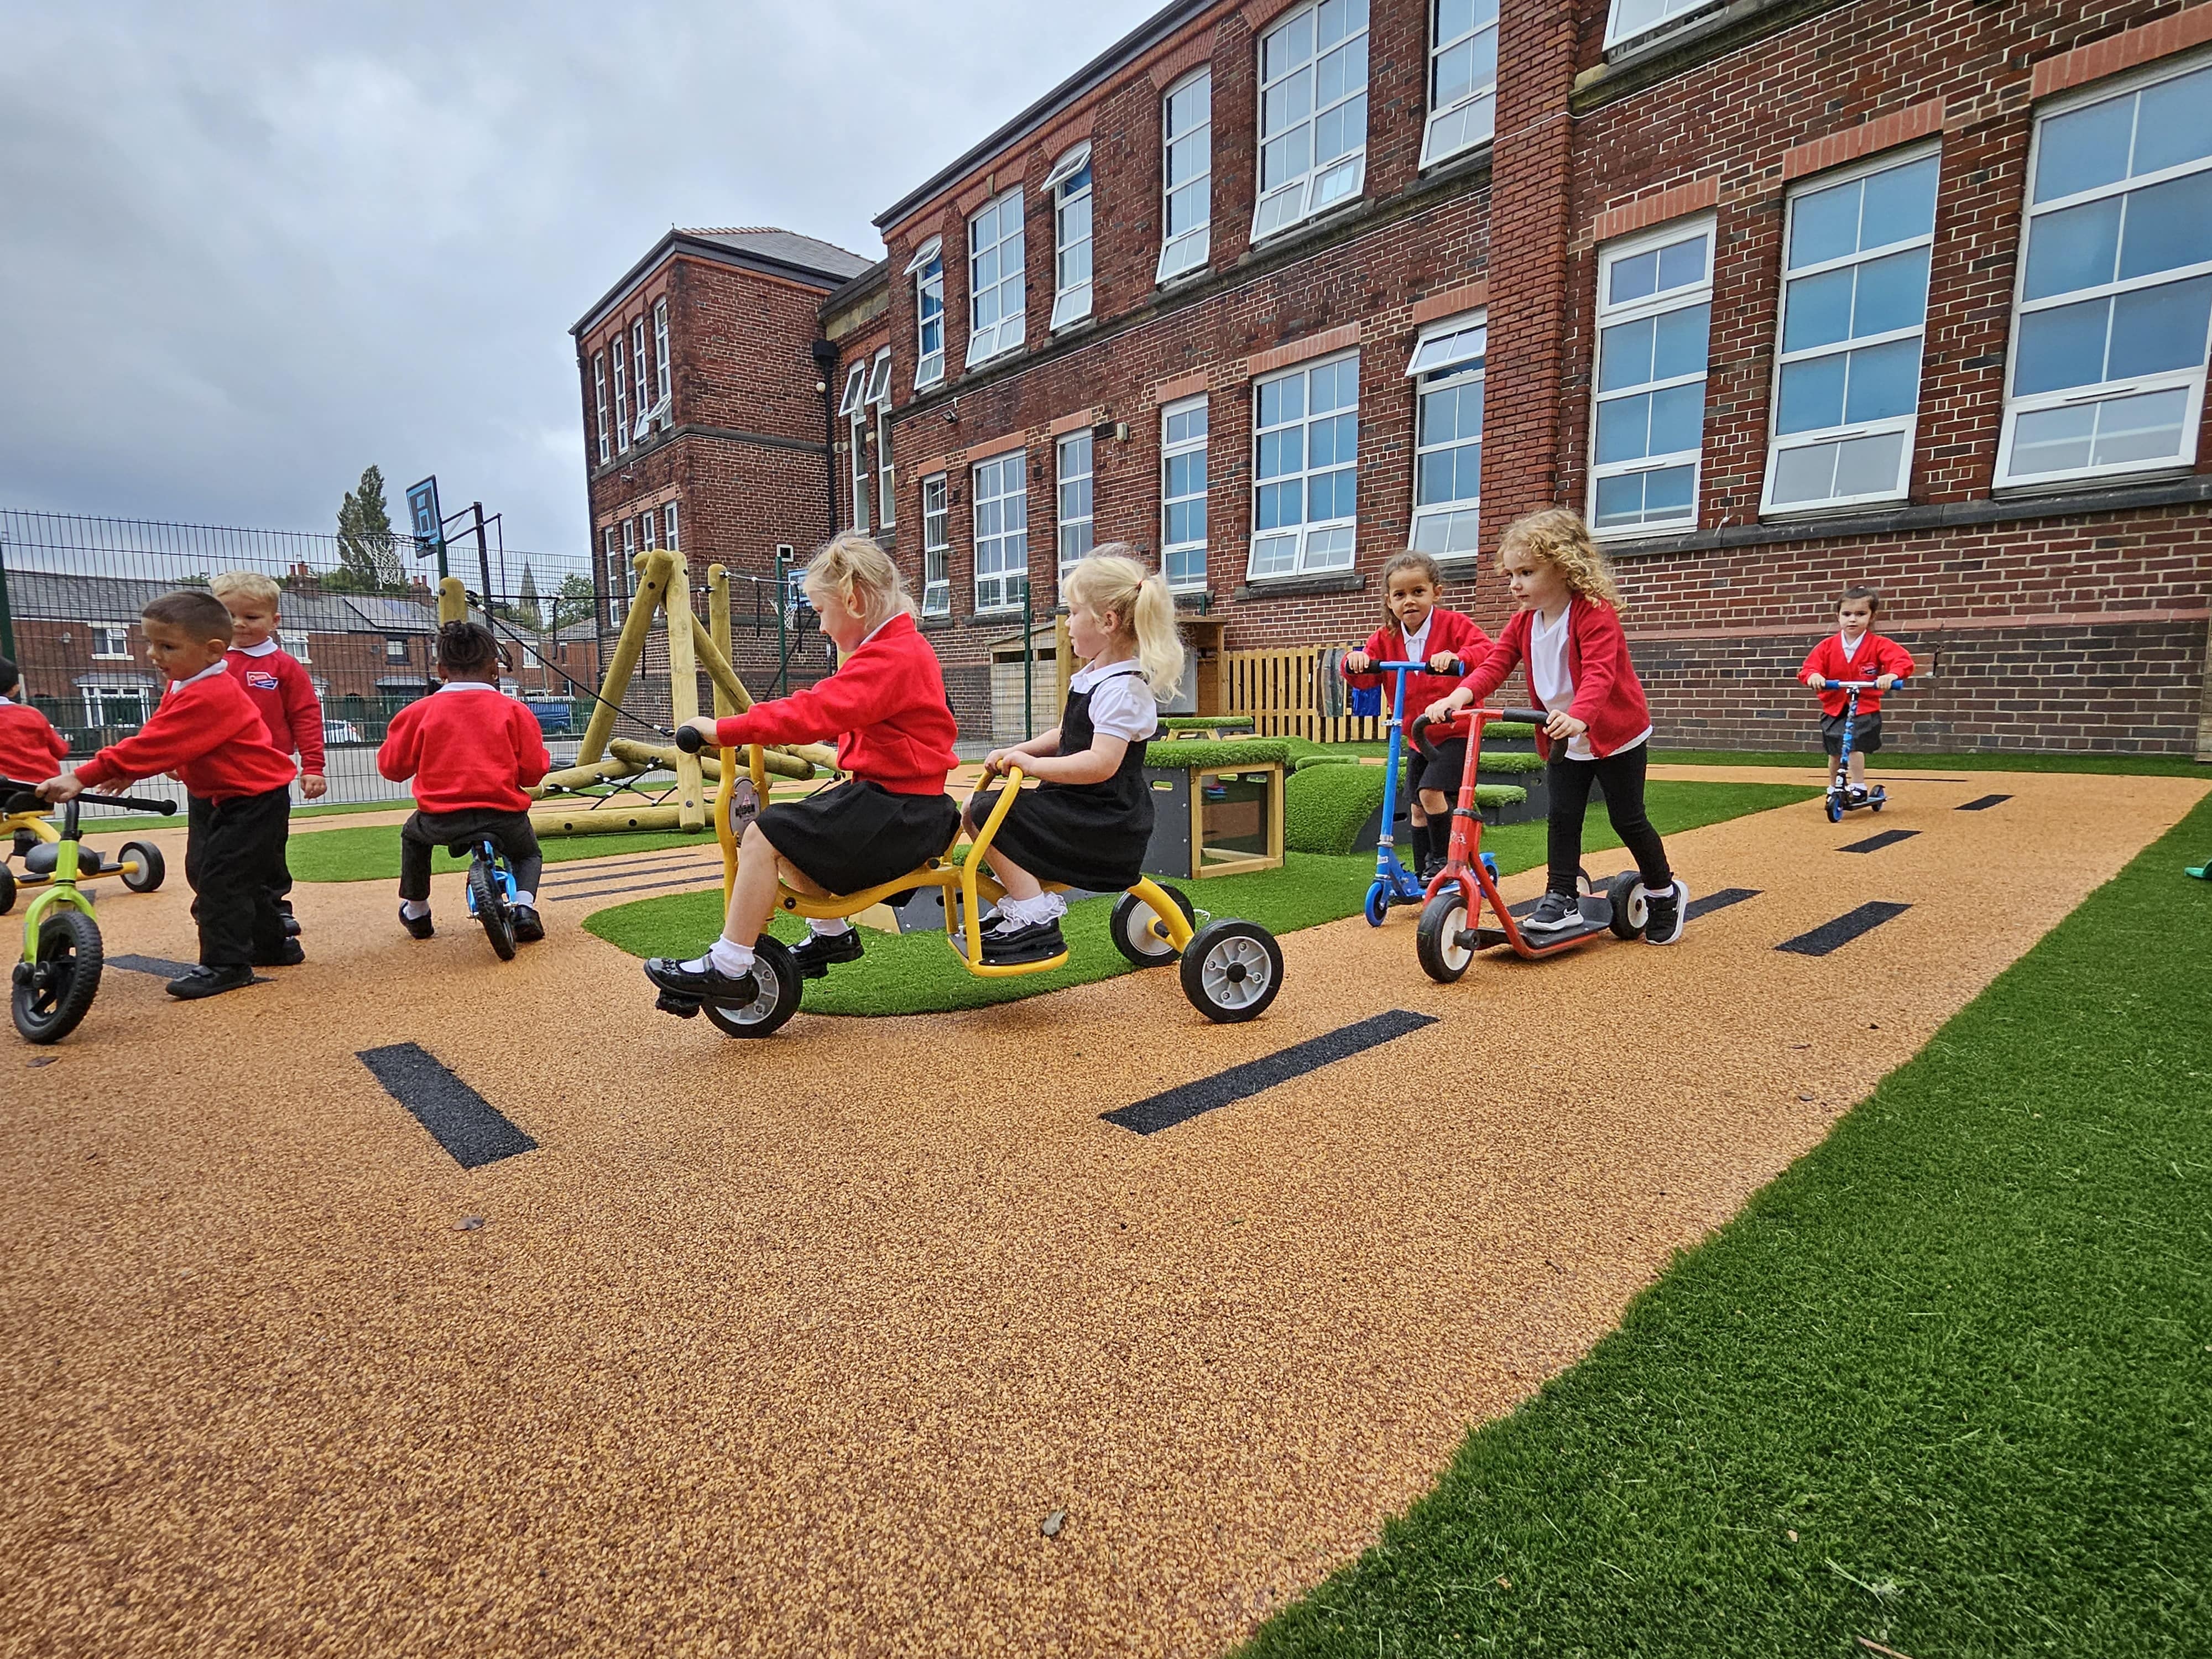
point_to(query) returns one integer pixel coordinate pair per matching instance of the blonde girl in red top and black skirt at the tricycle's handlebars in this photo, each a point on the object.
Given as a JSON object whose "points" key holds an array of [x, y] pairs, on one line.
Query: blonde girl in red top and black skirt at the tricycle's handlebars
{"points": [[895, 733]]}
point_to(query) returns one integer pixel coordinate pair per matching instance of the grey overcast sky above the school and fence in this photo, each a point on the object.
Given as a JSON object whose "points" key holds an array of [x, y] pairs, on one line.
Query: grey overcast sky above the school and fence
{"points": [[249, 249]]}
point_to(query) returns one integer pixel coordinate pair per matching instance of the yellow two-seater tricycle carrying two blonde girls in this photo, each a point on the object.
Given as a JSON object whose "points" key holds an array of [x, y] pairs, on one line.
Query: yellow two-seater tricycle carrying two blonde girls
{"points": [[1231, 970]]}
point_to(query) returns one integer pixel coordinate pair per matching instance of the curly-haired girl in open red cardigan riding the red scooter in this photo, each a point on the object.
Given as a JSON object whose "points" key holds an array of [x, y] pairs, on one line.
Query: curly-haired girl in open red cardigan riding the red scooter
{"points": [[1596, 720]]}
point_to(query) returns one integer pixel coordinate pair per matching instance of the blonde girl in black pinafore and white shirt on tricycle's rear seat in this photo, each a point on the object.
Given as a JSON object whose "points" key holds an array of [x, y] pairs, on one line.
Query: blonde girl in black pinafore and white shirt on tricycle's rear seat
{"points": [[1089, 822]]}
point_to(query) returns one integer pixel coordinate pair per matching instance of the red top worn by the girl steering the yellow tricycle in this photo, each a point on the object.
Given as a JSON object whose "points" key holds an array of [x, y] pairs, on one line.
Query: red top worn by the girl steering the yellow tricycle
{"points": [[886, 709]]}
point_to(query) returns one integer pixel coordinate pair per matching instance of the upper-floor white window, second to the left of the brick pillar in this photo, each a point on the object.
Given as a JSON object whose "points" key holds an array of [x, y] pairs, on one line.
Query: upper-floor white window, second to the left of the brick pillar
{"points": [[1313, 114]]}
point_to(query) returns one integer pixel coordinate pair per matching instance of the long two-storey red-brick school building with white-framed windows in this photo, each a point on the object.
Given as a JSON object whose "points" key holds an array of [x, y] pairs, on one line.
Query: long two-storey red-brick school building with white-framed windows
{"points": [[1780, 293]]}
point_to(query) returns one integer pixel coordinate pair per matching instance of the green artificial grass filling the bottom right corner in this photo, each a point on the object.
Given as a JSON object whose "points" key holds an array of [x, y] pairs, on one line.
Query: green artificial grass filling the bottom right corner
{"points": [[1943, 1386]]}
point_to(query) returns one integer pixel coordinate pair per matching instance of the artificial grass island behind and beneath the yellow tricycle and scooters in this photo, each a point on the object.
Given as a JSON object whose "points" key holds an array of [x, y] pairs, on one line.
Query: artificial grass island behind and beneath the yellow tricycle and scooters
{"points": [[919, 974]]}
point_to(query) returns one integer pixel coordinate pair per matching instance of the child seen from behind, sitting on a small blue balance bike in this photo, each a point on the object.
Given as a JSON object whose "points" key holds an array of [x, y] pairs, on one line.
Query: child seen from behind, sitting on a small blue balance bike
{"points": [[472, 753]]}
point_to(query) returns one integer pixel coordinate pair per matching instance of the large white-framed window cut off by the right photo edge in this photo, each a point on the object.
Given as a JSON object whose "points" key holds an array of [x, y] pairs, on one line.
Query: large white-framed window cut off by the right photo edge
{"points": [[2116, 284]]}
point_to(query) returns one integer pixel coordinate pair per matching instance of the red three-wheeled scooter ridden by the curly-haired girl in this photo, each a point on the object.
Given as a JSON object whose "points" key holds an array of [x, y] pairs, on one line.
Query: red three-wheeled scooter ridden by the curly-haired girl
{"points": [[1452, 917]]}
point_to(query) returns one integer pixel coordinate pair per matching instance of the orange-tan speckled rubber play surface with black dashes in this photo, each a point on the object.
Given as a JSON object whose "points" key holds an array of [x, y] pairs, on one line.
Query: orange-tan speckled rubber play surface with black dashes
{"points": [[800, 1346]]}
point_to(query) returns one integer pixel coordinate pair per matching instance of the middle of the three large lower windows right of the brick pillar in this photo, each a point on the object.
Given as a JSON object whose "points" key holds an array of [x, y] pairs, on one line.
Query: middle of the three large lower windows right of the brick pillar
{"points": [[1855, 306]]}
